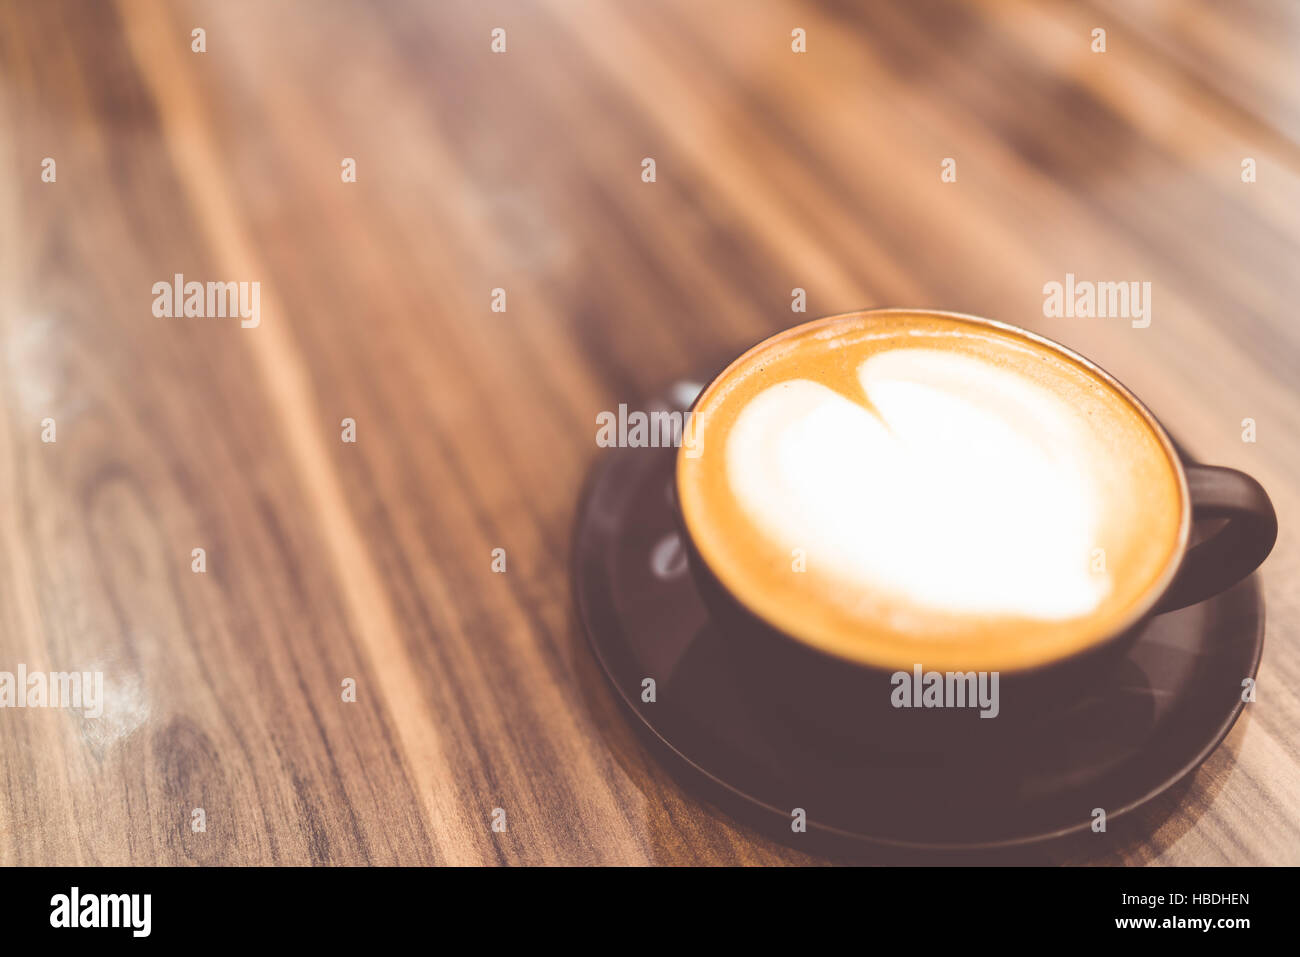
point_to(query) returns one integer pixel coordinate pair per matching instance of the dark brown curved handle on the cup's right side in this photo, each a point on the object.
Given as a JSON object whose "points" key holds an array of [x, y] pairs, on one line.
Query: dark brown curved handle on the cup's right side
{"points": [[1237, 549]]}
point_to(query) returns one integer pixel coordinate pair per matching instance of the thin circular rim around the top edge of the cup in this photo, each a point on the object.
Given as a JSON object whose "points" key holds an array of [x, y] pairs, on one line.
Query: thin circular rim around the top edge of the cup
{"points": [[1139, 610]]}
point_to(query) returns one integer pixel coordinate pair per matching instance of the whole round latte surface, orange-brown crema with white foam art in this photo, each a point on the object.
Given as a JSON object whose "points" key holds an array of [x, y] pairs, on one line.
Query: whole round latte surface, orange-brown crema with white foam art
{"points": [[896, 488]]}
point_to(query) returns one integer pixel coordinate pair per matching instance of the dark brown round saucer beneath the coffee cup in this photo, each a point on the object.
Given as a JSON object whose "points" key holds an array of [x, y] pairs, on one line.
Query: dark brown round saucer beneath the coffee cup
{"points": [[1156, 718]]}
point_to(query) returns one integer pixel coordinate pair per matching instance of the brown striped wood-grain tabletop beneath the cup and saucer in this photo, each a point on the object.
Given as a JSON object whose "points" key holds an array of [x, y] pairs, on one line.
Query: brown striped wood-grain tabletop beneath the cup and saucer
{"points": [[523, 171]]}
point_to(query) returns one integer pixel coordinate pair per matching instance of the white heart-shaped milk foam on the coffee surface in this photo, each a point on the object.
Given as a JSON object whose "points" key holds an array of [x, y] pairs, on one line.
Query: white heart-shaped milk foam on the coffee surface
{"points": [[964, 488]]}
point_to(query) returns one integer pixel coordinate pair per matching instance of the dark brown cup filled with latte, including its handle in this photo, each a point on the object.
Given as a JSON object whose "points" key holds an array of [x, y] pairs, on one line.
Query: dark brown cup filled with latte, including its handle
{"points": [[908, 522]]}
